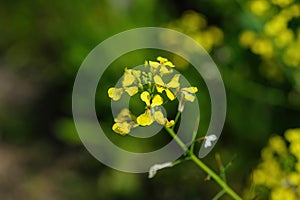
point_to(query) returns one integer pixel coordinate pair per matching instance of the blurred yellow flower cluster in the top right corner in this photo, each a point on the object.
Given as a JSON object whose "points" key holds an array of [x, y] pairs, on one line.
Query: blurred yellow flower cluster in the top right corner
{"points": [[279, 35]]}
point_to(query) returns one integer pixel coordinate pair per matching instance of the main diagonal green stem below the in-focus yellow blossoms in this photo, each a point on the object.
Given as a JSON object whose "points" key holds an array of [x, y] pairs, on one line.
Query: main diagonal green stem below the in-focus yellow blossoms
{"points": [[200, 164]]}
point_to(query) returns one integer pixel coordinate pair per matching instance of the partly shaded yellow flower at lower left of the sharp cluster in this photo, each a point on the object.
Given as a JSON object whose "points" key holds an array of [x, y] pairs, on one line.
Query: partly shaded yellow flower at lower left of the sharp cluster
{"points": [[124, 122]]}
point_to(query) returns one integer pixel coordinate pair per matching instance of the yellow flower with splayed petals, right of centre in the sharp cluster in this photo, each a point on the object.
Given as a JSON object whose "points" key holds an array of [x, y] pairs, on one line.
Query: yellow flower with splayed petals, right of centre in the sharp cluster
{"points": [[161, 86]]}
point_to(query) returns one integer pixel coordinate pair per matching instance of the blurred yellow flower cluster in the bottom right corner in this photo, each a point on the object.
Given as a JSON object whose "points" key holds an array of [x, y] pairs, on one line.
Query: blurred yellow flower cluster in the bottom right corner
{"points": [[279, 171]]}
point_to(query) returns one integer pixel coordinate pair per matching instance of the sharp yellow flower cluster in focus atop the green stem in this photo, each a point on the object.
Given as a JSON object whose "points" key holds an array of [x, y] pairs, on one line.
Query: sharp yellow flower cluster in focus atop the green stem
{"points": [[156, 84]]}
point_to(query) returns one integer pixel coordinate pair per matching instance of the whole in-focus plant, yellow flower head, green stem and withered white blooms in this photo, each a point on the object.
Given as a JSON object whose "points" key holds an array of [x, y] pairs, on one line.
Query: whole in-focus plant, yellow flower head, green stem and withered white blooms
{"points": [[156, 84]]}
